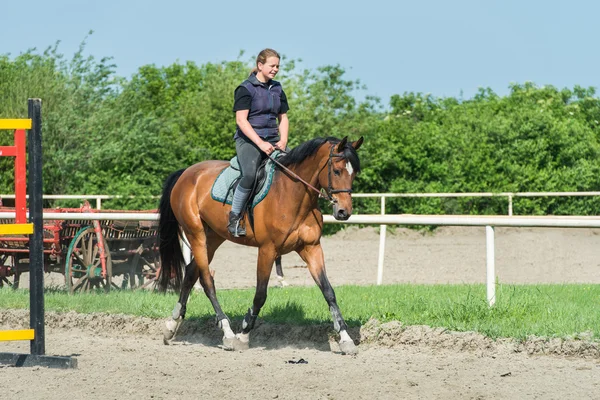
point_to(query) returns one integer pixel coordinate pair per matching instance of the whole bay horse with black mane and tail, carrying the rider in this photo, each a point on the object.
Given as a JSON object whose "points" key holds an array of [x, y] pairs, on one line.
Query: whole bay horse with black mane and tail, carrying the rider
{"points": [[287, 219]]}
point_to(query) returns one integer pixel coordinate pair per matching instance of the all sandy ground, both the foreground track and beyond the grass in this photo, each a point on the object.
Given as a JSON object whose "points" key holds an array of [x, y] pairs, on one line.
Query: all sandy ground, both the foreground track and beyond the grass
{"points": [[121, 356]]}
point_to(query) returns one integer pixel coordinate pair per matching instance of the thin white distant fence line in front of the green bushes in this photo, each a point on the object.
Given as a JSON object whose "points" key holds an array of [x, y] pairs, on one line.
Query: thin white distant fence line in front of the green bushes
{"points": [[382, 196]]}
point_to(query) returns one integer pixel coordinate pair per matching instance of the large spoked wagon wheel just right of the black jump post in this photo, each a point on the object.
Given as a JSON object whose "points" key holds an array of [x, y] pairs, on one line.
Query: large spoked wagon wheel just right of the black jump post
{"points": [[83, 267]]}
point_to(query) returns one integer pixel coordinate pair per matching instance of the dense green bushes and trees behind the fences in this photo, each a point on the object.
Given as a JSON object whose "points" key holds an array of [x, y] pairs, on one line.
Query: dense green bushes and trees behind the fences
{"points": [[104, 134]]}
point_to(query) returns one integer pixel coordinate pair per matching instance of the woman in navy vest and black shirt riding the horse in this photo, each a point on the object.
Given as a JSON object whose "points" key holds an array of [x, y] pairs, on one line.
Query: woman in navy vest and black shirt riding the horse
{"points": [[260, 107]]}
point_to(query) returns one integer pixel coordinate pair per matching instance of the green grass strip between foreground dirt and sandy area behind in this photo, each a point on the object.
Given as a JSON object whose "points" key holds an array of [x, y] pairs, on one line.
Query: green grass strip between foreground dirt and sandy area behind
{"points": [[520, 311]]}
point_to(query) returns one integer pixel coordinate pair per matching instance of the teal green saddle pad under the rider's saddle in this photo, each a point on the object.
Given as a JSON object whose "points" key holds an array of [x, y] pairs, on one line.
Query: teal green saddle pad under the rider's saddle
{"points": [[222, 184]]}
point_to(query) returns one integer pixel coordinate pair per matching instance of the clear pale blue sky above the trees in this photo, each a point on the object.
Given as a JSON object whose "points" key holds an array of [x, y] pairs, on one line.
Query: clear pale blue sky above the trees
{"points": [[440, 47]]}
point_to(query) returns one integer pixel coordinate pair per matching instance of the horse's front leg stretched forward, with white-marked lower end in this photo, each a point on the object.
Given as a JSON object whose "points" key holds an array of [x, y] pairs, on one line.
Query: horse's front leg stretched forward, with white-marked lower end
{"points": [[313, 256]]}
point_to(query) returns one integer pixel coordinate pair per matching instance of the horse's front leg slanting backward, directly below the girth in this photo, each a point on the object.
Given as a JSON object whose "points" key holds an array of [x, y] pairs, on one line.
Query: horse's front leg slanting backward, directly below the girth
{"points": [[266, 256]]}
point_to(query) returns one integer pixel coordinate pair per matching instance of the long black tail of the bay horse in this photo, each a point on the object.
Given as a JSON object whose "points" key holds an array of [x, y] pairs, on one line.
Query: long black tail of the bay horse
{"points": [[171, 257]]}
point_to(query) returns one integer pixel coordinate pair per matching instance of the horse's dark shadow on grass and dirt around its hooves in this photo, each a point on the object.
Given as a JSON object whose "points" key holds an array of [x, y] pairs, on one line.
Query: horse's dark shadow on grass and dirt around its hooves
{"points": [[277, 327]]}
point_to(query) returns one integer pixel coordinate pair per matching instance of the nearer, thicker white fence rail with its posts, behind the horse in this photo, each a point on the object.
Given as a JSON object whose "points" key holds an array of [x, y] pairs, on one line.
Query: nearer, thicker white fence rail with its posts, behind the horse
{"points": [[438, 220]]}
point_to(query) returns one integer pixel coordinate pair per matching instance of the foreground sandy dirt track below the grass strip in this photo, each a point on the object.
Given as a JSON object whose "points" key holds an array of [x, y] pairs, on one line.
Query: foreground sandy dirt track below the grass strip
{"points": [[123, 357]]}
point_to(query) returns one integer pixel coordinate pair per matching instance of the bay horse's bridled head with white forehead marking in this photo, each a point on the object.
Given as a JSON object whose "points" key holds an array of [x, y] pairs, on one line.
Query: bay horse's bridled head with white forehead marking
{"points": [[342, 166]]}
